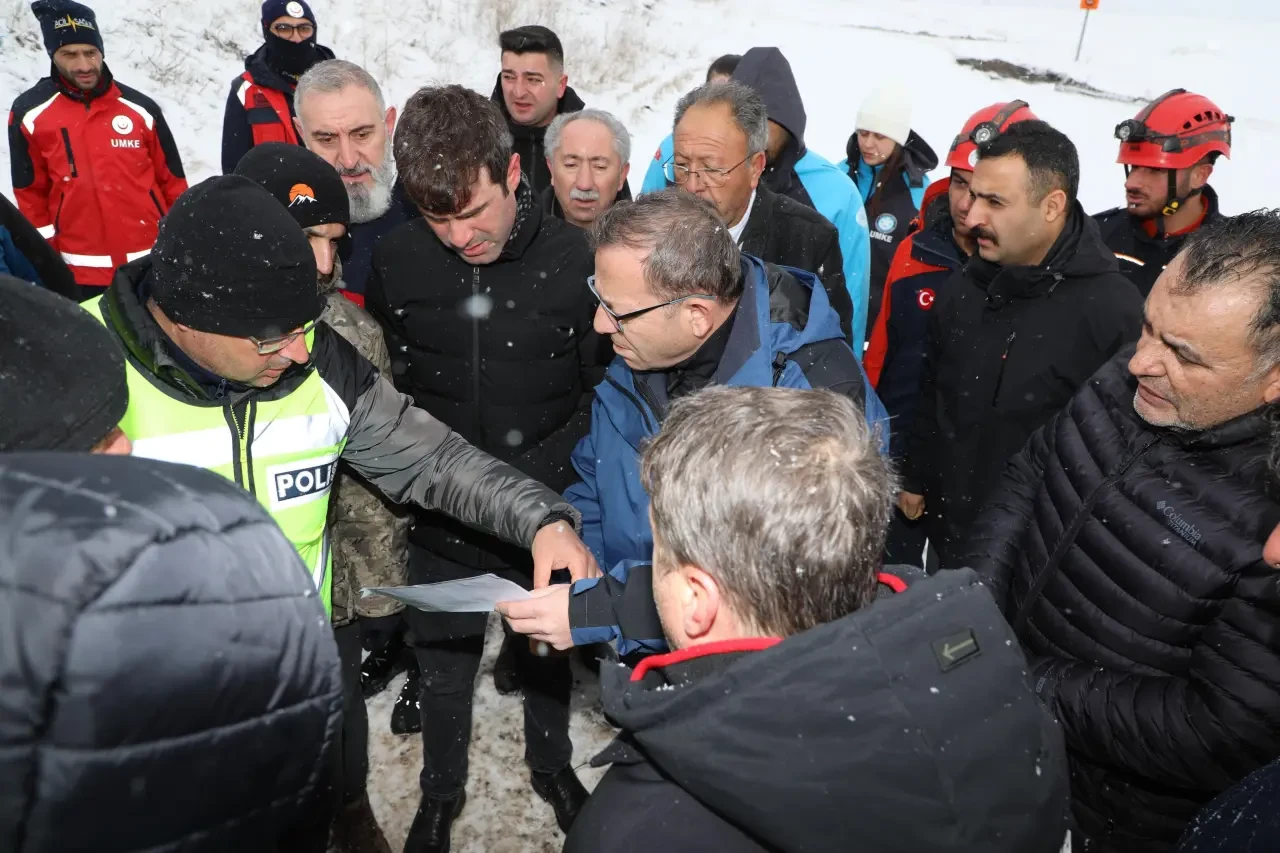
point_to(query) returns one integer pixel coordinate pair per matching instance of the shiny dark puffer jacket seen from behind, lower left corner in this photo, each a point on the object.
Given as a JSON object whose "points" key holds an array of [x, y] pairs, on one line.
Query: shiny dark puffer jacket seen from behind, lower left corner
{"points": [[171, 681]]}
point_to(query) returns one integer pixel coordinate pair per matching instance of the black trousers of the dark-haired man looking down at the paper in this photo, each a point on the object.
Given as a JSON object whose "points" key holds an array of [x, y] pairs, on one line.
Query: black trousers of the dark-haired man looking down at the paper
{"points": [[449, 649]]}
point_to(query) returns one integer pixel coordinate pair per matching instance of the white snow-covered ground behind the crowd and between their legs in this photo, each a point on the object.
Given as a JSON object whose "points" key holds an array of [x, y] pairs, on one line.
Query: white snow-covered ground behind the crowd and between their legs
{"points": [[636, 58]]}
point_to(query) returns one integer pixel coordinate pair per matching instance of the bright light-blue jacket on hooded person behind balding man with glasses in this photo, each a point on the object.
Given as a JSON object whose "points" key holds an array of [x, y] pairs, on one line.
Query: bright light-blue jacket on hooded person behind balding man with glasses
{"points": [[836, 198]]}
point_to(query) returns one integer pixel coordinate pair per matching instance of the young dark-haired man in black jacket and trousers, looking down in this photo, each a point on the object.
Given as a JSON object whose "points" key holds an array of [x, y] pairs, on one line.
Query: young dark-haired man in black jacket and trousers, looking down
{"points": [[488, 318]]}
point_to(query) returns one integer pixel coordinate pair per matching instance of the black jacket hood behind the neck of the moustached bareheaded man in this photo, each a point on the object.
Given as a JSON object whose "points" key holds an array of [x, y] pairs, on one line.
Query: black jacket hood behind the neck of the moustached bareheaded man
{"points": [[1078, 253]]}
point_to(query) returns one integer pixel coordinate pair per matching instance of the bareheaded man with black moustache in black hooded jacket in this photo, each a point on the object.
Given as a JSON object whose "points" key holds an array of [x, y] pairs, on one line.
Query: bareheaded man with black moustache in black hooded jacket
{"points": [[1016, 332]]}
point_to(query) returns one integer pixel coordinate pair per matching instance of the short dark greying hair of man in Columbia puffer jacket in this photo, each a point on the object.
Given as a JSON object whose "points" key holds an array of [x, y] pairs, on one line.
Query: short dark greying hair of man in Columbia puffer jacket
{"points": [[1232, 252]]}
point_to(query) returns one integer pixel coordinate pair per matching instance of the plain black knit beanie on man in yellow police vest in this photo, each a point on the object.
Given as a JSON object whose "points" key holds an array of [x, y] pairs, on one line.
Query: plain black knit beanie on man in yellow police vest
{"points": [[230, 259]]}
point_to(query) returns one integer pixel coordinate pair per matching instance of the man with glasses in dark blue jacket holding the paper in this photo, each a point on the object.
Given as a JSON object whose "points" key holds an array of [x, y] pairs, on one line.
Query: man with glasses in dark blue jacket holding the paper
{"points": [[684, 311]]}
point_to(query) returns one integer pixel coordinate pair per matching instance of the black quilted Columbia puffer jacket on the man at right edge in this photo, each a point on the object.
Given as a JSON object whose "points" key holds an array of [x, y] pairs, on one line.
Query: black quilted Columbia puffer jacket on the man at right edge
{"points": [[1130, 559]]}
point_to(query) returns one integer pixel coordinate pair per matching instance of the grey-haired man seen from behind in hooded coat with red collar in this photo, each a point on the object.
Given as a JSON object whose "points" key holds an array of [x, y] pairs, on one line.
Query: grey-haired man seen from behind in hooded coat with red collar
{"points": [[797, 711]]}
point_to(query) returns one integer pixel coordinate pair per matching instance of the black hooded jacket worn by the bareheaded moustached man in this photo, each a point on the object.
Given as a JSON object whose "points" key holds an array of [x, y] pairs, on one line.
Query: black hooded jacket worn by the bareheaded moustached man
{"points": [[1008, 348]]}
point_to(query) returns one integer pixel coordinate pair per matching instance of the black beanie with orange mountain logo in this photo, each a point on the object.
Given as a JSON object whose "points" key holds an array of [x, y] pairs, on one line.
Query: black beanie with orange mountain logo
{"points": [[301, 181]]}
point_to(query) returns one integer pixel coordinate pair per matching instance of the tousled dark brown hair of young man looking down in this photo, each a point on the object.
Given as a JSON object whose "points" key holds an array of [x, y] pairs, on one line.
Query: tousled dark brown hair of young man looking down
{"points": [[444, 139]]}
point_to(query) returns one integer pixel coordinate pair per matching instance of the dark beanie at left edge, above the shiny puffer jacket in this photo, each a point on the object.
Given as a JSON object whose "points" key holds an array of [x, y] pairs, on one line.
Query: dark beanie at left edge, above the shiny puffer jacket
{"points": [[62, 375]]}
